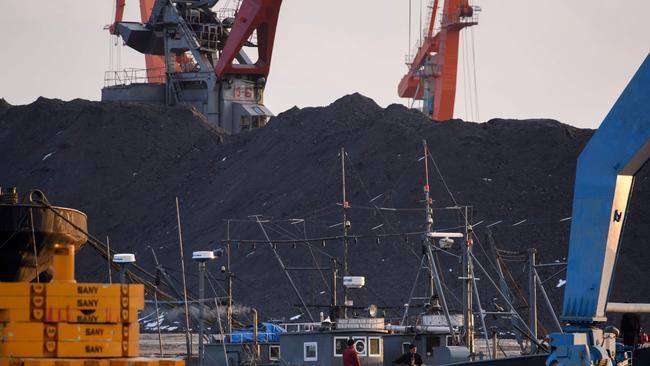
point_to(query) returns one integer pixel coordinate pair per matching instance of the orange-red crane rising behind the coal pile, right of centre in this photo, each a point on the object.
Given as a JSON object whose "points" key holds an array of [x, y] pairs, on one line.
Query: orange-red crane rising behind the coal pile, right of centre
{"points": [[432, 72]]}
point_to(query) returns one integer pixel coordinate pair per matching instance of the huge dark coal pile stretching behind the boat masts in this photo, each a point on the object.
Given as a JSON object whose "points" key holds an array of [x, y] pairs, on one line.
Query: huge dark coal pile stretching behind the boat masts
{"points": [[124, 164]]}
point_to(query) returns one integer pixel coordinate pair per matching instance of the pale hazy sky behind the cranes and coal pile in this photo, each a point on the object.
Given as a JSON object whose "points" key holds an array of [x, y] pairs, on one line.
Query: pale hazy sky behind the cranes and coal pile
{"points": [[562, 59]]}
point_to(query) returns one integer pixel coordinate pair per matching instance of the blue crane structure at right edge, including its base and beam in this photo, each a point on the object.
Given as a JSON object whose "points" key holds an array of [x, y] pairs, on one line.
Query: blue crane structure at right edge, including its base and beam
{"points": [[604, 181]]}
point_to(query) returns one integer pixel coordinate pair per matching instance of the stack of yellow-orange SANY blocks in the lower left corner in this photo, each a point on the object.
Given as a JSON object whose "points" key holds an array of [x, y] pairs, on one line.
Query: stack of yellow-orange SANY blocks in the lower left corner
{"points": [[65, 323]]}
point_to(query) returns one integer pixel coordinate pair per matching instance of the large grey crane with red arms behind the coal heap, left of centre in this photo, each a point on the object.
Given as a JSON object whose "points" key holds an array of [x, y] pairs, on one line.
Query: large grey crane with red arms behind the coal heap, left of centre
{"points": [[197, 56]]}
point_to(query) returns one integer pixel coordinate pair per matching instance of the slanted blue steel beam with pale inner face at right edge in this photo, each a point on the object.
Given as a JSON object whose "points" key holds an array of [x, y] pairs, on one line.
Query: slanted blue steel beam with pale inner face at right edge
{"points": [[604, 179]]}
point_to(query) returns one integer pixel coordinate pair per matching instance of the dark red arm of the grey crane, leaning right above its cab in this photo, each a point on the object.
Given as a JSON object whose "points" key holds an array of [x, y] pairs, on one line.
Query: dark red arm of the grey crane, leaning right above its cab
{"points": [[260, 15]]}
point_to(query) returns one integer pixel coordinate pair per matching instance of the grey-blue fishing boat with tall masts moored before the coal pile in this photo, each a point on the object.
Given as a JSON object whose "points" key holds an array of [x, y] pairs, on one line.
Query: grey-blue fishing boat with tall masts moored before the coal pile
{"points": [[441, 336]]}
